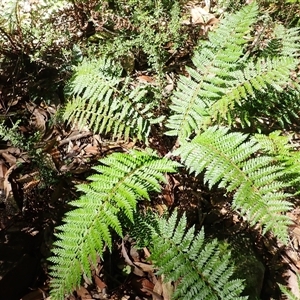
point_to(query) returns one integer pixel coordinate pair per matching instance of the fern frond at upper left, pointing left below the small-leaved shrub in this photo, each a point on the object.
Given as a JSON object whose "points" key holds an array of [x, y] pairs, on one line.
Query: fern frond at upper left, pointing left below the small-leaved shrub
{"points": [[105, 102]]}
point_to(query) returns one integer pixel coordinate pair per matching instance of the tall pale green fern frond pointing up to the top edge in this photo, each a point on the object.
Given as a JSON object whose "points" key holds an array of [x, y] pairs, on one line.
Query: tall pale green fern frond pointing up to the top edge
{"points": [[215, 60]]}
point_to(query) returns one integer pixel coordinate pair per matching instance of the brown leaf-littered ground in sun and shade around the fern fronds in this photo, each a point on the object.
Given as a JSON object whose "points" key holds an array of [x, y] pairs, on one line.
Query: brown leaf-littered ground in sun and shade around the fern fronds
{"points": [[38, 178]]}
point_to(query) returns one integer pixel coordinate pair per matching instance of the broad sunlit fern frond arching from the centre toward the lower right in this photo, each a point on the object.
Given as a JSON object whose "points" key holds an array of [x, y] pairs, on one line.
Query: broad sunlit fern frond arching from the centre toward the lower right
{"points": [[229, 161]]}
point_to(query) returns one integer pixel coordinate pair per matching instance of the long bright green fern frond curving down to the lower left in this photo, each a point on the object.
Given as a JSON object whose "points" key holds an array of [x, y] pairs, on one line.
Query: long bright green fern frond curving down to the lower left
{"points": [[123, 179]]}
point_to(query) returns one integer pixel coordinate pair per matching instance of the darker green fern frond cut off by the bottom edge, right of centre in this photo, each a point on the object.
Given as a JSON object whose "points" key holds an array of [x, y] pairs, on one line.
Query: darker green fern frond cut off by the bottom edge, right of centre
{"points": [[198, 267]]}
